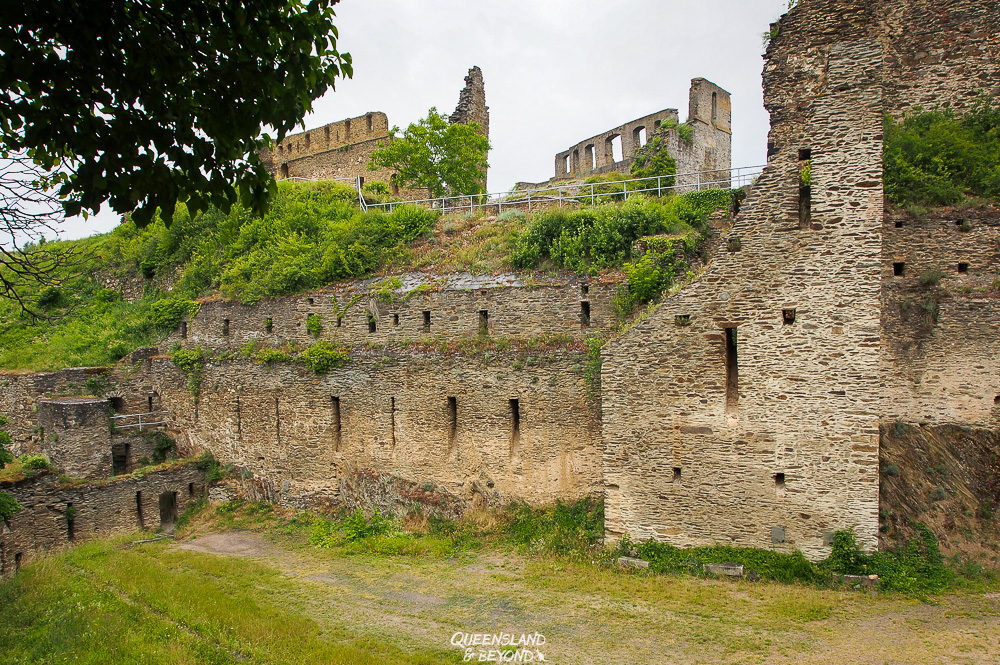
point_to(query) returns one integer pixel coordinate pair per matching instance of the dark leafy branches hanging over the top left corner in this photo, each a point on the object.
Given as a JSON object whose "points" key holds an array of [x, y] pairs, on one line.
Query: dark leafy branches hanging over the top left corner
{"points": [[144, 103]]}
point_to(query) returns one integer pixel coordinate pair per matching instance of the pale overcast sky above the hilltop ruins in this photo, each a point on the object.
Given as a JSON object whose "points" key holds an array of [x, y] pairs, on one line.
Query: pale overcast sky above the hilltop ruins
{"points": [[556, 71]]}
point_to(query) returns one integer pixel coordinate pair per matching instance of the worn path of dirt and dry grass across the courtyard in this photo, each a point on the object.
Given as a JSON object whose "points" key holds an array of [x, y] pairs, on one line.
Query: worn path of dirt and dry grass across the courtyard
{"points": [[592, 615]]}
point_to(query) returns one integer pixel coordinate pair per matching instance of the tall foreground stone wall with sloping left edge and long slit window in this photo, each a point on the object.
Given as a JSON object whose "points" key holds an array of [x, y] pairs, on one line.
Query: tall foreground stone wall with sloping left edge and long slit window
{"points": [[745, 410]]}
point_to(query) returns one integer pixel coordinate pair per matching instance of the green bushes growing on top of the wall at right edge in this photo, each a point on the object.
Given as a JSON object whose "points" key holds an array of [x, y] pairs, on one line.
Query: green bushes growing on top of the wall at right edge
{"points": [[937, 158]]}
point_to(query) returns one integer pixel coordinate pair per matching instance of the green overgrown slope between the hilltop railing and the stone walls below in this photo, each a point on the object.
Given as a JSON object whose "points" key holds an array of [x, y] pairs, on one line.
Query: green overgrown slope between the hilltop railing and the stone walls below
{"points": [[314, 235]]}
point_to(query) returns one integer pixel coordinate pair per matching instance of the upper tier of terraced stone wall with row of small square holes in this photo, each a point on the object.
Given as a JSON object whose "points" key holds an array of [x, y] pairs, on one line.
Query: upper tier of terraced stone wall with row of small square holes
{"points": [[450, 307]]}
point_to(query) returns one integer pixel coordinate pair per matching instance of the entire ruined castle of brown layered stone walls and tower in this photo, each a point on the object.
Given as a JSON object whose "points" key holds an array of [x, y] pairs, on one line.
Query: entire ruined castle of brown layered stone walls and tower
{"points": [[749, 409]]}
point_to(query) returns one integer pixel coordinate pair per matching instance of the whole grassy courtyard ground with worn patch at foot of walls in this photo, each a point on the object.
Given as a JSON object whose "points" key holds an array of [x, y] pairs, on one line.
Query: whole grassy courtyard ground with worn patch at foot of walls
{"points": [[296, 603]]}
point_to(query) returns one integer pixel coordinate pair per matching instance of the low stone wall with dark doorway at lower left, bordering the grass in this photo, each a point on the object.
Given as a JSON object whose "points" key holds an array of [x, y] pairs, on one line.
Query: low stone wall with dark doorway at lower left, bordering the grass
{"points": [[123, 505]]}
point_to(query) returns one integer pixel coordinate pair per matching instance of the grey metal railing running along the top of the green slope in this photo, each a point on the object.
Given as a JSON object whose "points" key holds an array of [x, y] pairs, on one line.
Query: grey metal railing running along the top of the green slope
{"points": [[569, 194]]}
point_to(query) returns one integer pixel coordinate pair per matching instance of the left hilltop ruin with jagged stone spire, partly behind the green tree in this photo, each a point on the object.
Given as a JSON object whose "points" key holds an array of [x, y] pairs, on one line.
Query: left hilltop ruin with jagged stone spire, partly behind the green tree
{"points": [[341, 150]]}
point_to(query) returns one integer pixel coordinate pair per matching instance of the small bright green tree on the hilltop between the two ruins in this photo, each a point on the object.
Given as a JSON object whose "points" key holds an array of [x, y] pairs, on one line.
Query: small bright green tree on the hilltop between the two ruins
{"points": [[446, 159]]}
